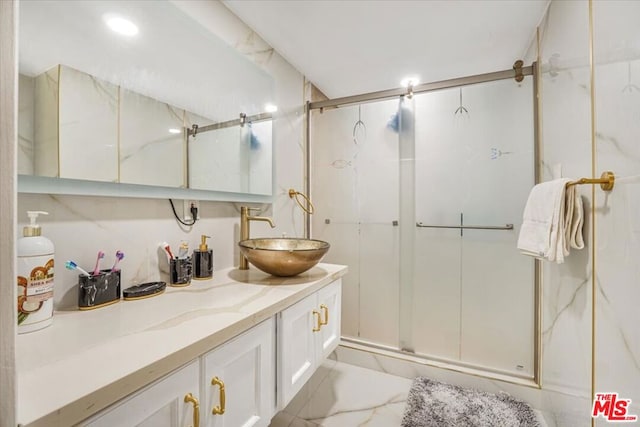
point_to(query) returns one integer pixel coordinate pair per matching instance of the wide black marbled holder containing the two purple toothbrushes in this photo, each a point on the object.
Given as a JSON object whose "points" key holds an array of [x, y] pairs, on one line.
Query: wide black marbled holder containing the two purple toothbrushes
{"points": [[98, 290]]}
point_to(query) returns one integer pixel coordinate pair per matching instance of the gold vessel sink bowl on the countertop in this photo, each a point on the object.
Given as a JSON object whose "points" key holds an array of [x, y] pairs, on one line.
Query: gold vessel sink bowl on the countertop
{"points": [[283, 256]]}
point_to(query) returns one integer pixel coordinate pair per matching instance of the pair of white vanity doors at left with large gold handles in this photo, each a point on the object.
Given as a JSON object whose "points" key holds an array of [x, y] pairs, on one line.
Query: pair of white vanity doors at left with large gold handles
{"points": [[231, 386]]}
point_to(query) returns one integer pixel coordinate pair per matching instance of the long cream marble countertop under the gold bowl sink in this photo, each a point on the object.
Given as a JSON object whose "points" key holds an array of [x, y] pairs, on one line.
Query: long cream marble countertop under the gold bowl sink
{"points": [[87, 360]]}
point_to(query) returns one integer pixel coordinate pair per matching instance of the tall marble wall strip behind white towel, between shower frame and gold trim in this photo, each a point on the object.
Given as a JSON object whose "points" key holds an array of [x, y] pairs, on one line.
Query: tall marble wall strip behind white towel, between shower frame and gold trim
{"points": [[565, 114]]}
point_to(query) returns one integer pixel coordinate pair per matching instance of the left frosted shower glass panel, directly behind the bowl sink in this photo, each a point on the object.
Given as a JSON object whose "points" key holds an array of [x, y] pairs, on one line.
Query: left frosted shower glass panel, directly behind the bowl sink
{"points": [[355, 188]]}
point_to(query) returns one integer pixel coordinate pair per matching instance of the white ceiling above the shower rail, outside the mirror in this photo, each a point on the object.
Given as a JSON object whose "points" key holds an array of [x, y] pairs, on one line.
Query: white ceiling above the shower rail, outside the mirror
{"points": [[350, 47]]}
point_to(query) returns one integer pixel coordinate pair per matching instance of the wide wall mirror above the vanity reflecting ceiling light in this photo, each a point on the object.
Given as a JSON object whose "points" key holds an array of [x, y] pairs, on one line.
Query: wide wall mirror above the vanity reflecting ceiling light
{"points": [[110, 91]]}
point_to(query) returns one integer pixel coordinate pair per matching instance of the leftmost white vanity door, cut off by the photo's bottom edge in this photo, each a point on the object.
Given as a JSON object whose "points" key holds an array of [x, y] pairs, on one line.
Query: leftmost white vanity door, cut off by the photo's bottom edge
{"points": [[169, 402]]}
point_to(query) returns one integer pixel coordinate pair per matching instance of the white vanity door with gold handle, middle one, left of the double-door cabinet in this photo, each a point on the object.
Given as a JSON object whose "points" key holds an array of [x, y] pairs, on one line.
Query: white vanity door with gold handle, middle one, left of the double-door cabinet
{"points": [[239, 380]]}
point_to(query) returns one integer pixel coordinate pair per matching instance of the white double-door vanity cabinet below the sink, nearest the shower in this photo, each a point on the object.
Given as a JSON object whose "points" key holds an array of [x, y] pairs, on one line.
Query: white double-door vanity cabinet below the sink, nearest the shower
{"points": [[307, 332]]}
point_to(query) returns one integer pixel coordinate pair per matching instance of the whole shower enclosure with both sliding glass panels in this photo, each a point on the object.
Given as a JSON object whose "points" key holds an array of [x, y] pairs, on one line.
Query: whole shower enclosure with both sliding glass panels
{"points": [[422, 196]]}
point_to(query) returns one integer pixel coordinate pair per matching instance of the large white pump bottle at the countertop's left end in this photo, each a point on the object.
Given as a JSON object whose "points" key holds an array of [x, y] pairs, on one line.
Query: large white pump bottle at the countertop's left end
{"points": [[35, 277]]}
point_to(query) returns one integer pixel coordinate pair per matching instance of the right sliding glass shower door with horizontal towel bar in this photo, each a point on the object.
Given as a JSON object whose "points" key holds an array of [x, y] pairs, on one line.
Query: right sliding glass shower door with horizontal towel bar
{"points": [[474, 167]]}
